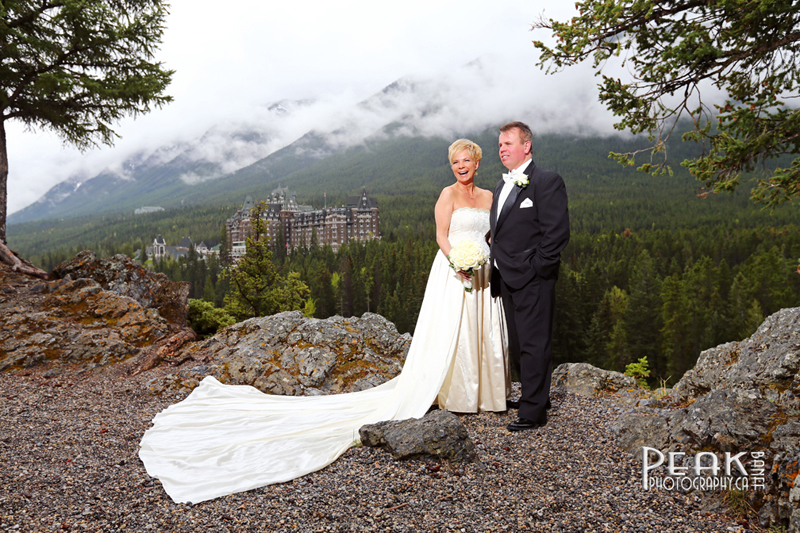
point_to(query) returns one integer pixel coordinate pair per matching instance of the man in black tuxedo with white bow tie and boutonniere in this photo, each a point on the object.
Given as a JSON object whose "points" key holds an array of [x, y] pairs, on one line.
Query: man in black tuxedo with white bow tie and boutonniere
{"points": [[529, 229]]}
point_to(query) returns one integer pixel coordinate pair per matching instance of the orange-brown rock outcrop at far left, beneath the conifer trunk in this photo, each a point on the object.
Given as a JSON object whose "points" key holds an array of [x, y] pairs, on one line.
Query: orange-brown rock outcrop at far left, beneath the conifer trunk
{"points": [[83, 321]]}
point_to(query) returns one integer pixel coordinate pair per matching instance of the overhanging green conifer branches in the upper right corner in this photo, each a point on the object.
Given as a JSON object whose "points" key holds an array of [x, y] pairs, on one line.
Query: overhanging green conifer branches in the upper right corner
{"points": [[746, 48]]}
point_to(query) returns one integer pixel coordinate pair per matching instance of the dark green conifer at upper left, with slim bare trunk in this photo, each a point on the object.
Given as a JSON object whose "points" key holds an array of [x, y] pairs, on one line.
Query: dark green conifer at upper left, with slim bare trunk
{"points": [[77, 67]]}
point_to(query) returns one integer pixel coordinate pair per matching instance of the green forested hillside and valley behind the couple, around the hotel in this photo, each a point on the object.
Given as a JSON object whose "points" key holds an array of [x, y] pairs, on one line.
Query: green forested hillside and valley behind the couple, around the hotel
{"points": [[653, 269]]}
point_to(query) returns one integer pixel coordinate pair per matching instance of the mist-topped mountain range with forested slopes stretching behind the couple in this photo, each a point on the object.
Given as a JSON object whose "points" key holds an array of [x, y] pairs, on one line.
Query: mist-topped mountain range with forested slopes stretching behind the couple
{"points": [[394, 145]]}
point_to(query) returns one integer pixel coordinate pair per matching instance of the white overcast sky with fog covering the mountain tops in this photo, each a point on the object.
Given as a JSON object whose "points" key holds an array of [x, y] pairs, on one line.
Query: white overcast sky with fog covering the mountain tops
{"points": [[327, 65]]}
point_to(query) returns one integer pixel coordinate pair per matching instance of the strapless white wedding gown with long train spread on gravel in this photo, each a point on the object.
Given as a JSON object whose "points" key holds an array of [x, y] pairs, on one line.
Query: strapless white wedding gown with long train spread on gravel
{"points": [[224, 439]]}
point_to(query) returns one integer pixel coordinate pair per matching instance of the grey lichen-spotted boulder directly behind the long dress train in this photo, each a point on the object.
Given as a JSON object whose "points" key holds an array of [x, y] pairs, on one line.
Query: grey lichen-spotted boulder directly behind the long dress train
{"points": [[292, 355]]}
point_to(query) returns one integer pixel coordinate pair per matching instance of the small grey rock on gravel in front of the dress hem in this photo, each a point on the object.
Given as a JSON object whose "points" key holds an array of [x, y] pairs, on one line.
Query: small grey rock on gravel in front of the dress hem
{"points": [[439, 434]]}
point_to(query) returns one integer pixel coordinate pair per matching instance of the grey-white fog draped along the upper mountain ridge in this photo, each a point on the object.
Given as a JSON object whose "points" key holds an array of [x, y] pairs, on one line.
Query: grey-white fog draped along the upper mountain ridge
{"points": [[470, 98]]}
